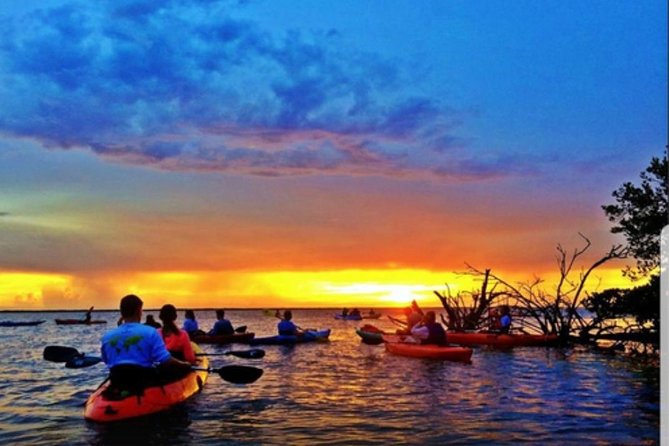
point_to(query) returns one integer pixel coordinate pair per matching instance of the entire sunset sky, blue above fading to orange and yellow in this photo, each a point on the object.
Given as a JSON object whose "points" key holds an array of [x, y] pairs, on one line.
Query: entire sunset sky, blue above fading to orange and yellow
{"points": [[298, 153]]}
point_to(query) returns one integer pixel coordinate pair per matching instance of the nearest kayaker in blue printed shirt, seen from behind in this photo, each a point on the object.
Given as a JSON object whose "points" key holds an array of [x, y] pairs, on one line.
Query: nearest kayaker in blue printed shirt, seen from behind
{"points": [[132, 350]]}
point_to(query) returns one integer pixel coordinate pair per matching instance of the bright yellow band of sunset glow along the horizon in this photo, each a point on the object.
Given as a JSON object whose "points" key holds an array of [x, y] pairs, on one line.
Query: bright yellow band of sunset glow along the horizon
{"points": [[257, 289]]}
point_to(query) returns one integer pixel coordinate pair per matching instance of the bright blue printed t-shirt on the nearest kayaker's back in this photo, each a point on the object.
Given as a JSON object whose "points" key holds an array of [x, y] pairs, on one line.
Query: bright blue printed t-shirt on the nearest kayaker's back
{"points": [[133, 343]]}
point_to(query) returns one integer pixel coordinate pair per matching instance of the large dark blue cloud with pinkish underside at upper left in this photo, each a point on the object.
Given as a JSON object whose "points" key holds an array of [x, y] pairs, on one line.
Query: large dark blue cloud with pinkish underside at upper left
{"points": [[187, 86]]}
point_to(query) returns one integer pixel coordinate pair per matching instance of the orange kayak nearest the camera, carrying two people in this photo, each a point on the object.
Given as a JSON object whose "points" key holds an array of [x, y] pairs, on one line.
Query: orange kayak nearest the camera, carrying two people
{"points": [[155, 399]]}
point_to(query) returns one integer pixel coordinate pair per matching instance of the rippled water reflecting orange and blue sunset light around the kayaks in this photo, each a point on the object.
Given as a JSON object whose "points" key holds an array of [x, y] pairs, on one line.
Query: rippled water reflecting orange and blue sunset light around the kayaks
{"points": [[341, 392]]}
